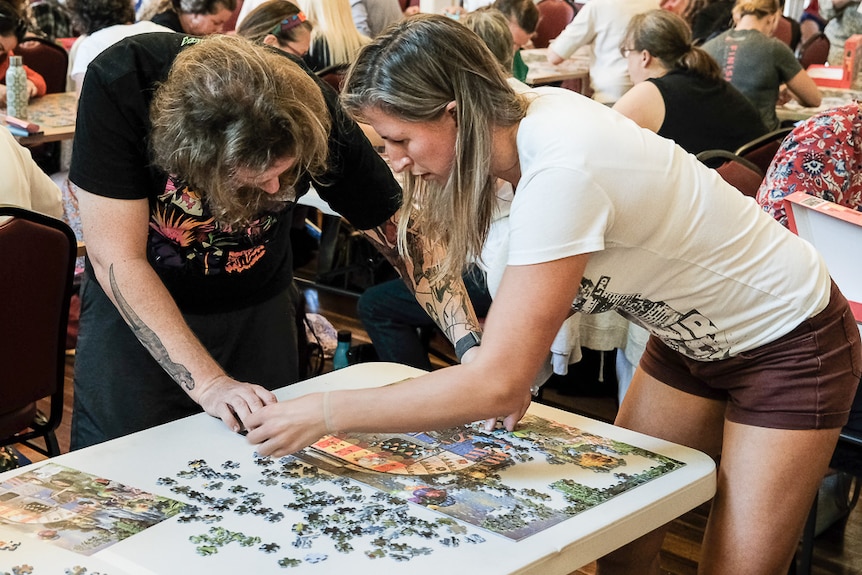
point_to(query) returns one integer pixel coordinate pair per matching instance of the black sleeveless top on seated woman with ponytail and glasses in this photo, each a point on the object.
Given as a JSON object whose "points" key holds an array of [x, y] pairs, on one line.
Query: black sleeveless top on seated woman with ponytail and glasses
{"points": [[703, 114]]}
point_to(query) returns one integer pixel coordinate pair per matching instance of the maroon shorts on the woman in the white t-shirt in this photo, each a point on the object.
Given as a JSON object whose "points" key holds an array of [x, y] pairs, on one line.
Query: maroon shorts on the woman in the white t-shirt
{"points": [[806, 379]]}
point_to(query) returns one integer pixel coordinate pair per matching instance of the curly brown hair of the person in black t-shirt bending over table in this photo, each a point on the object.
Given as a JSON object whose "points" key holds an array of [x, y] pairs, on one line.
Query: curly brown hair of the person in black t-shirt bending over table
{"points": [[228, 104]]}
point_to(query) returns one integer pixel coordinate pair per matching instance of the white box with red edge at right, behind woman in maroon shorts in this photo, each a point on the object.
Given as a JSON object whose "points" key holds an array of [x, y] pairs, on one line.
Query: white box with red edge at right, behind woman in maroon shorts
{"points": [[834, 231]]}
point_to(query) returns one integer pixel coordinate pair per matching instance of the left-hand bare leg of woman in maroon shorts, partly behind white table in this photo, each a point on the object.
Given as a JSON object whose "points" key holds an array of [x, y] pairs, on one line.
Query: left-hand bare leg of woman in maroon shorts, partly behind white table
{"points": [[659, 410]]}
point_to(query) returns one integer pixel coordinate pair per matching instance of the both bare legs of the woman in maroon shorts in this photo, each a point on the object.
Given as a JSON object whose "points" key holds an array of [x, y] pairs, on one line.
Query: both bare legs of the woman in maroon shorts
{"points": [[767, 481]]}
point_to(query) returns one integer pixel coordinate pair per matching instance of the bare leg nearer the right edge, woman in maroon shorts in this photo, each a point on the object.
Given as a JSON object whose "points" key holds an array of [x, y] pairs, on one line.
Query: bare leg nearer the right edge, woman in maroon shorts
{"points": [[766, 484]]}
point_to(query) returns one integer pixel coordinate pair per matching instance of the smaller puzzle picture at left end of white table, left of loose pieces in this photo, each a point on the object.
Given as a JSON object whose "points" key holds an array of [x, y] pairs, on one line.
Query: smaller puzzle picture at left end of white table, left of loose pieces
{"points": [[78, 511]]}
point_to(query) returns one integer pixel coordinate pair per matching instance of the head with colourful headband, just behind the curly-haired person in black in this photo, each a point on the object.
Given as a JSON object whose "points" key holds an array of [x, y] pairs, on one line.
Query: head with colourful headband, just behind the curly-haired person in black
{"points": [[279, 24]]}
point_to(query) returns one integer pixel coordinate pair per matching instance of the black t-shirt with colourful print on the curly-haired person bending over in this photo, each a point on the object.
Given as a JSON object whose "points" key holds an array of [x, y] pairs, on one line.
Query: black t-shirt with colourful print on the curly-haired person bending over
{"points": [[205, 267]]}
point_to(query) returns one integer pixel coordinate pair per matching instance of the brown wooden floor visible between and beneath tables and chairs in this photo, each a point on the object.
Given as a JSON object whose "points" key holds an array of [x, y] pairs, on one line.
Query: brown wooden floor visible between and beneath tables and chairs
{"points": [[838, 550]]}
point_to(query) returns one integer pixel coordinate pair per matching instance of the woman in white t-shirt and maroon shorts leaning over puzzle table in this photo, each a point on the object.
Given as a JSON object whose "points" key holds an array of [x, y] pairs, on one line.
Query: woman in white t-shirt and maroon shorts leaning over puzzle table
{"points": [[754, 353]]}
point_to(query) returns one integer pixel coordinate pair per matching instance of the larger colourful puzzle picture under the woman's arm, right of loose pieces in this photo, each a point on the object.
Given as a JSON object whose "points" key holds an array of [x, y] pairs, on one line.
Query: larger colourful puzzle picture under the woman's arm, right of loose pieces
{"points": [[490, 479]]}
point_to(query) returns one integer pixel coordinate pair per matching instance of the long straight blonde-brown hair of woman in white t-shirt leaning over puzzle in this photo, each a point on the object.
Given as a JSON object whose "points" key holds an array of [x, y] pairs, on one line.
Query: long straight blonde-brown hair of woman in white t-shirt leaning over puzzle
{"points": [[413, 71]]}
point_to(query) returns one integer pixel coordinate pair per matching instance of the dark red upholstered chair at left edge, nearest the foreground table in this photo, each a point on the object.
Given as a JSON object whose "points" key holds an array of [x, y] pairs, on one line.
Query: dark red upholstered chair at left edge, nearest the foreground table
{"points": [[37, 264]]}
